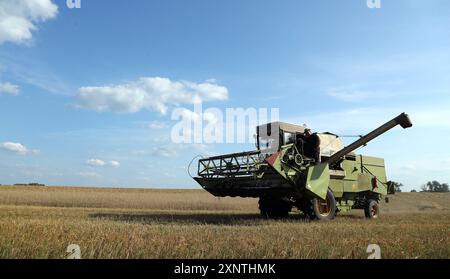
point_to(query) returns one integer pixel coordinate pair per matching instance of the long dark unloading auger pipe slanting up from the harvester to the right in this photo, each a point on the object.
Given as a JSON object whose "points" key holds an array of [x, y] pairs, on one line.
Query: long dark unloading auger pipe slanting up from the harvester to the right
{"points": [[402, 120]]}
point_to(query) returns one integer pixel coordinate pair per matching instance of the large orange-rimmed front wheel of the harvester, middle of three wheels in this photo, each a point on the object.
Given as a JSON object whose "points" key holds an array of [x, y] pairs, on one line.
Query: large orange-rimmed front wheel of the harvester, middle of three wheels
{"points": [[318, 209]]}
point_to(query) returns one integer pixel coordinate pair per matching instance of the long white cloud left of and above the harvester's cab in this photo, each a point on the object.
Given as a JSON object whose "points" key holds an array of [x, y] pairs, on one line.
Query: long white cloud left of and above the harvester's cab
{"points": [[152, 93]]}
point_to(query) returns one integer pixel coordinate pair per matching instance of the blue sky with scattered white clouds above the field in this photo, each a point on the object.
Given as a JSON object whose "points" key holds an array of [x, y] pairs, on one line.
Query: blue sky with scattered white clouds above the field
{"points": [[81, 102]]}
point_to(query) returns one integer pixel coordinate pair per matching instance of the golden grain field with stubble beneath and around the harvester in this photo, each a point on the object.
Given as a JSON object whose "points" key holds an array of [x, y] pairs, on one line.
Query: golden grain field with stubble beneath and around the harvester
{"points": [[40, 222]]}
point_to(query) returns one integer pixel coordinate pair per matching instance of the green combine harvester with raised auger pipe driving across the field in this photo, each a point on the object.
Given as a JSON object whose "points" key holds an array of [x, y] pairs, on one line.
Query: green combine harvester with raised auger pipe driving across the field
{"points": [[282, 177]]}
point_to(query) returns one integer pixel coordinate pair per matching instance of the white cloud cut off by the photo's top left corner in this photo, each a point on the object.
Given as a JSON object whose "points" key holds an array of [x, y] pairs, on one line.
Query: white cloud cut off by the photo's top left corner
{"points": [[19, 18]]}
